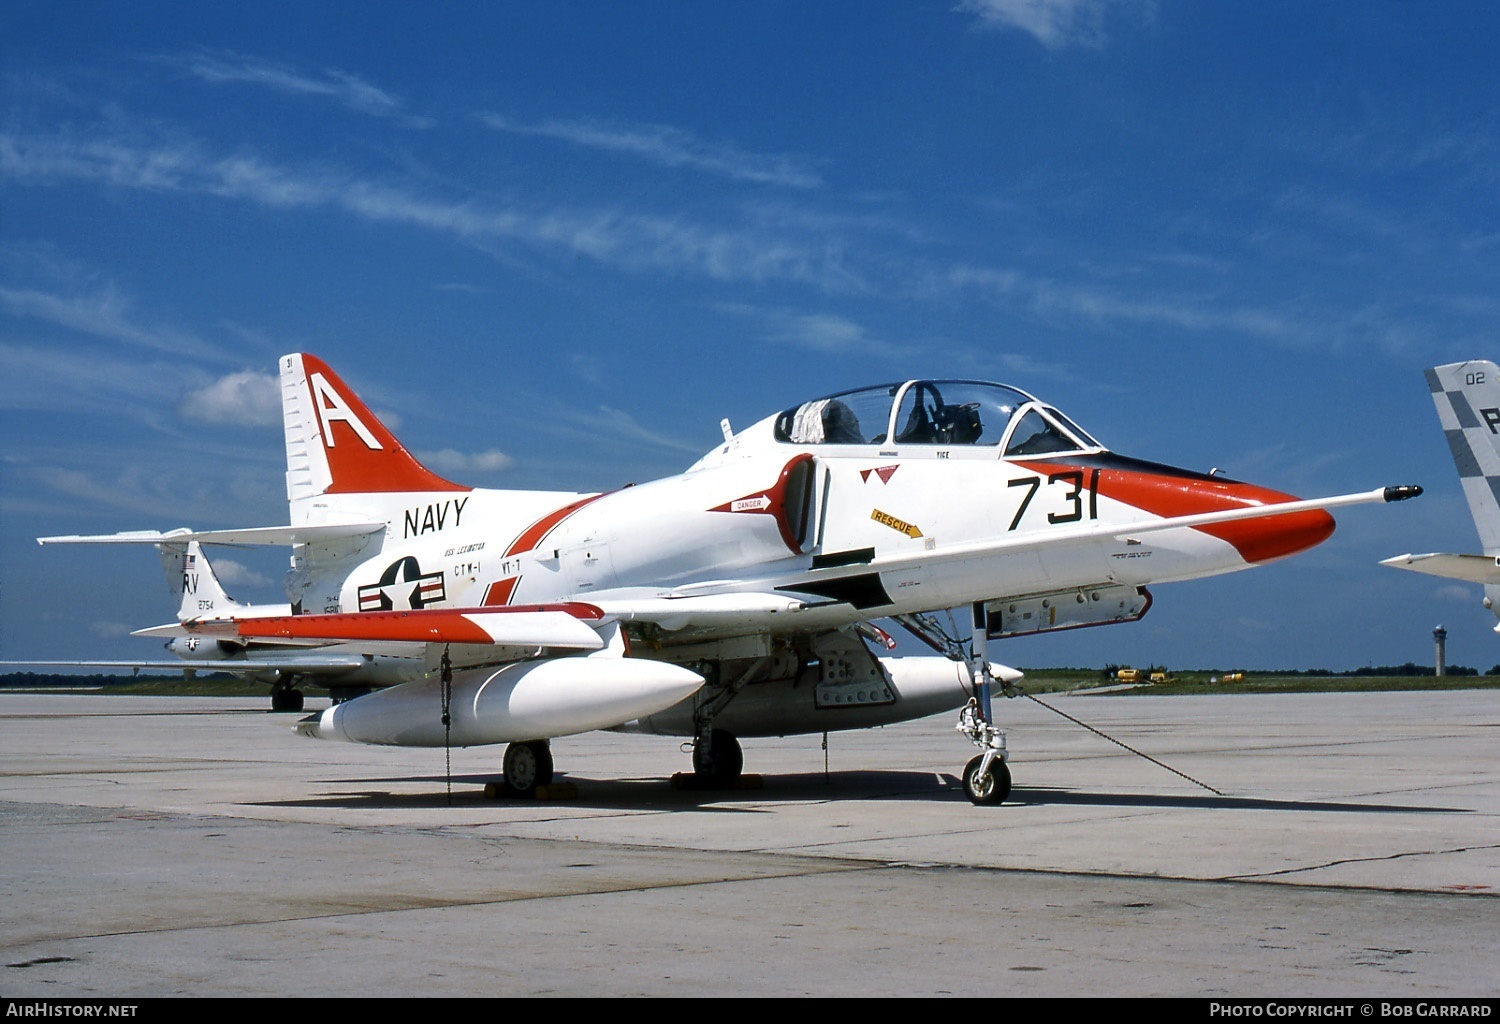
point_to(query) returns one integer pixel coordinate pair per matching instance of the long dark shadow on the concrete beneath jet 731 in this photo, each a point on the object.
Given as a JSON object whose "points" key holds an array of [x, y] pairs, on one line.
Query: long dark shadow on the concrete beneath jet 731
{"points": [[661, 794]]}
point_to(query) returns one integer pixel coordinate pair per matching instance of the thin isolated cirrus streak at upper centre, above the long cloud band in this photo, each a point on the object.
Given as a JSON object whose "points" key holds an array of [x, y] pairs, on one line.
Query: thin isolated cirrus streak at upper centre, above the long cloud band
{"points": [[670, 148]]}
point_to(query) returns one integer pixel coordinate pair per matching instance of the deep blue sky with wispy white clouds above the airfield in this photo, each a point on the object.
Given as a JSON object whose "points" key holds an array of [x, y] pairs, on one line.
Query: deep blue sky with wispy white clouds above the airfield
{"points": [[556, 244]]}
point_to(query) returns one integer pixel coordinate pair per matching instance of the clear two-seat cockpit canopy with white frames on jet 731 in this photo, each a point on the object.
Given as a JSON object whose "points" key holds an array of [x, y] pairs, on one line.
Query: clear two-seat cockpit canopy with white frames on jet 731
{"points": [[935, 413]]}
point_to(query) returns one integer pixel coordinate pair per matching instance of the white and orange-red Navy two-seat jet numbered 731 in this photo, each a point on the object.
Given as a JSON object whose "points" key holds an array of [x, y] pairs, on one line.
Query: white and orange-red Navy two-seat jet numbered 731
{"points": [[736, 599]]}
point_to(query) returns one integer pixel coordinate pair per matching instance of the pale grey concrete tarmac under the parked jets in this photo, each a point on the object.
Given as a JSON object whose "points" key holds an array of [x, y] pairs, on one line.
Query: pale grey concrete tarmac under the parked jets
{"points": [[197, 848]]}
